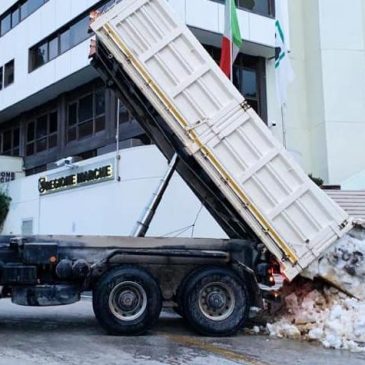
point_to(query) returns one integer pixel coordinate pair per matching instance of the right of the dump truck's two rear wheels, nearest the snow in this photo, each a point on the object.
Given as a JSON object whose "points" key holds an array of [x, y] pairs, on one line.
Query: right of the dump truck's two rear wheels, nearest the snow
{"points": [[215, 301]]}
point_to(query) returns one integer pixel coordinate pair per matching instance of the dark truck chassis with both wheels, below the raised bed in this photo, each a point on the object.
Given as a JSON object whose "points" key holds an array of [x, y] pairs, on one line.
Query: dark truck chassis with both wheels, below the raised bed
{"points": [[211, 283]]}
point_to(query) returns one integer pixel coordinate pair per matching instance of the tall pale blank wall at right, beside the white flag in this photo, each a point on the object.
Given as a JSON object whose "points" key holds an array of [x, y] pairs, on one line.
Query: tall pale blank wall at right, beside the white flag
{"points": [[326, 107]]}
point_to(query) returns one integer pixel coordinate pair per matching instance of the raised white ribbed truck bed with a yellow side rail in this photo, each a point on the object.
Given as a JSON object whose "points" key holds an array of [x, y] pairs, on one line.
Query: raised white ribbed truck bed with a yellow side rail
{"points": [[286, 210]]}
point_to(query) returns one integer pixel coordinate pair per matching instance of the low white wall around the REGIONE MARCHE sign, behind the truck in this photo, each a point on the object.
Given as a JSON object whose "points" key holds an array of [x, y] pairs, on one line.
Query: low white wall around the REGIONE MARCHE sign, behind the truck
{"points": [[111, 208]]}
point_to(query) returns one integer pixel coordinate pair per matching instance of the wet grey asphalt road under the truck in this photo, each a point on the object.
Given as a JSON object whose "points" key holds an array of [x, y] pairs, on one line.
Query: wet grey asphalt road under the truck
{"points": [[71, 335]]}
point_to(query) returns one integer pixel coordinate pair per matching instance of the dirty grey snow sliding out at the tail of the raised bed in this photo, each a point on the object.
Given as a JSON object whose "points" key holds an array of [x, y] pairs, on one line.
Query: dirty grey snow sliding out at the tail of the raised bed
{"points": [[343, 264]]}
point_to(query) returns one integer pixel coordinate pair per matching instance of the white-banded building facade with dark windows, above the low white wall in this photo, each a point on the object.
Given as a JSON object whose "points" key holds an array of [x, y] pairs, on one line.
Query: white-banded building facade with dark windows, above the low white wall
{"points": [[52, 103]]}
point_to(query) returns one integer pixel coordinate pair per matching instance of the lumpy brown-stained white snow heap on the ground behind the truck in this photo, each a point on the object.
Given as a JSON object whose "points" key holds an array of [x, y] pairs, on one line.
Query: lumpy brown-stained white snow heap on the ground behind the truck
{"points": [[322, 314]]}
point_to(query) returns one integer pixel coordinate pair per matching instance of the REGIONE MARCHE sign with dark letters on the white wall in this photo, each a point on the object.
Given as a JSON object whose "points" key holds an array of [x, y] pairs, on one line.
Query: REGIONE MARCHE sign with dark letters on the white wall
{"points": [[76, 177]]}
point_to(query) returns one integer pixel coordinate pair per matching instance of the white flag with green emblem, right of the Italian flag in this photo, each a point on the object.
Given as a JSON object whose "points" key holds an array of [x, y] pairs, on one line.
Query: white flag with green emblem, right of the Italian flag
{"points": [[284, 71]]}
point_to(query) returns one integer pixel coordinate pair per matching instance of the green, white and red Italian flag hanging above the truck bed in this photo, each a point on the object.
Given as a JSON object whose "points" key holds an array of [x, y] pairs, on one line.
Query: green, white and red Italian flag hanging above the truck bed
{"points": [[232, 40]]}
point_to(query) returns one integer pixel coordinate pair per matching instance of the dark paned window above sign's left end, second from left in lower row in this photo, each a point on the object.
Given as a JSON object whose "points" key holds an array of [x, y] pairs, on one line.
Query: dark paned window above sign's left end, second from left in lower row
{"points": [[41, 133]]}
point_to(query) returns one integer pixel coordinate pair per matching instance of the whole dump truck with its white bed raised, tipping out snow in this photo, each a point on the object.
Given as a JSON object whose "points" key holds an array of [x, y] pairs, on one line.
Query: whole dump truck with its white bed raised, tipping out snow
{"points": [[276, 218]]}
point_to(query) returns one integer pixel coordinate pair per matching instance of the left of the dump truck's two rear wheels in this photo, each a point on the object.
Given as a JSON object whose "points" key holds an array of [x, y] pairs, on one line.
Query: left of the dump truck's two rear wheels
{"points": [[127, 301]]}
